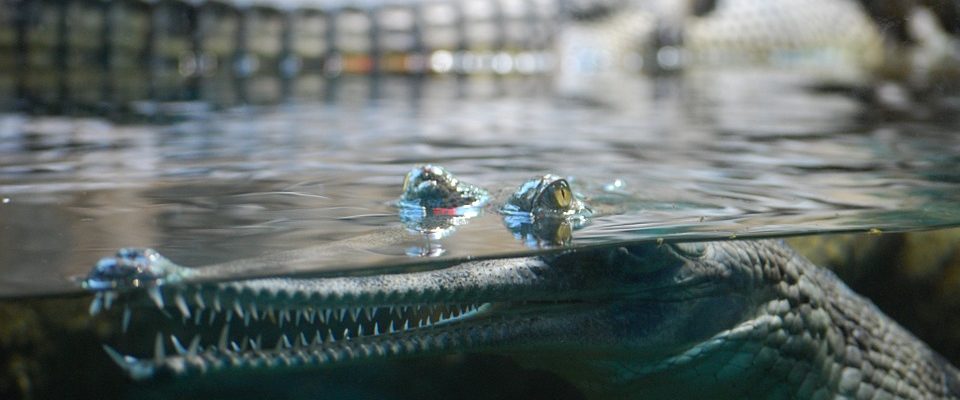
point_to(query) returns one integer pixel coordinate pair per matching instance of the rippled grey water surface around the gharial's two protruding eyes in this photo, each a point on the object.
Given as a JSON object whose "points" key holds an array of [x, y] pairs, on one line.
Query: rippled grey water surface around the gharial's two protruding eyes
{"points": [[705, 155]]}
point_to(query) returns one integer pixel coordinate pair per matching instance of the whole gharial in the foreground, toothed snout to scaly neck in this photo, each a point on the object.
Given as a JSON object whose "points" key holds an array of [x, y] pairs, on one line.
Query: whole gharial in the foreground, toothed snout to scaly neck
{"points": [[727, 319]]}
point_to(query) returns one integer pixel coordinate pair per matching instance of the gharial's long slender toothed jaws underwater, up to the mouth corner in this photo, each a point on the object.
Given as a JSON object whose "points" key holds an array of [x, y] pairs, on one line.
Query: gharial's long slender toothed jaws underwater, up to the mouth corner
{"points": [[192, 328]]}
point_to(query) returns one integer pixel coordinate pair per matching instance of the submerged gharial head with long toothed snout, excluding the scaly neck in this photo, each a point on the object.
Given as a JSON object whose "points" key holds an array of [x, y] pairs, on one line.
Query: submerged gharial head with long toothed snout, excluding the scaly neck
{"points": [[643, 305]]}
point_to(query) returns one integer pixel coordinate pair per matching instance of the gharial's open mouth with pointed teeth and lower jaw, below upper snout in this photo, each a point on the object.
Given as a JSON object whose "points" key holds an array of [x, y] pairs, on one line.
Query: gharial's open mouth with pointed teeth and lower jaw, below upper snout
{"points": [[255, 333]]}
